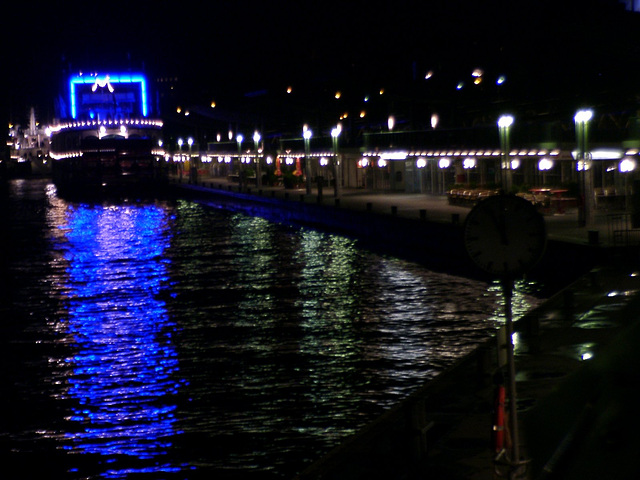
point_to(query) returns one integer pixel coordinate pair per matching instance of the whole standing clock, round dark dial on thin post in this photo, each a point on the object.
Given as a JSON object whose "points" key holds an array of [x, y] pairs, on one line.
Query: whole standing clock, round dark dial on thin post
{"points": [[505, 236]]}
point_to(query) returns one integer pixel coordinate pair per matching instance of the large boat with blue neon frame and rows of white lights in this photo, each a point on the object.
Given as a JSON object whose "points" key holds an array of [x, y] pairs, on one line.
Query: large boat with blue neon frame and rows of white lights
{"points": [[107, 138]]}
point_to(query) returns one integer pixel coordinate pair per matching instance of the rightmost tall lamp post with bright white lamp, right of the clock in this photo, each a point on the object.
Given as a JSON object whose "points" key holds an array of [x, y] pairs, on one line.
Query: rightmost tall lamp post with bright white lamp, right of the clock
{"points": [[585, 208]]}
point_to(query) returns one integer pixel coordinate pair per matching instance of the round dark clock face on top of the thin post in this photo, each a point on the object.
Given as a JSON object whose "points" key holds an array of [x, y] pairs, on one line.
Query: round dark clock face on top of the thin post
{"points": [[505, 235]]}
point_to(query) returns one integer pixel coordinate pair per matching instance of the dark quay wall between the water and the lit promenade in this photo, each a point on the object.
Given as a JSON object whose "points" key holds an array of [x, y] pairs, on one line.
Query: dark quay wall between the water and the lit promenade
{"points": [[437, 245]]}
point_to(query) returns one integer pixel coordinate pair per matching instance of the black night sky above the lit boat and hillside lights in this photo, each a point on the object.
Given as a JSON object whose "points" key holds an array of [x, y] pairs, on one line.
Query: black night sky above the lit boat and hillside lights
{"points": [[228, 47]]}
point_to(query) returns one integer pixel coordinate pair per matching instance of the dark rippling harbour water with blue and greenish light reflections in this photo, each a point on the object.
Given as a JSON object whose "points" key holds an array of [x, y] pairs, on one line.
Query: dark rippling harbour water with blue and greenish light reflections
{"points": [[164, 339]]}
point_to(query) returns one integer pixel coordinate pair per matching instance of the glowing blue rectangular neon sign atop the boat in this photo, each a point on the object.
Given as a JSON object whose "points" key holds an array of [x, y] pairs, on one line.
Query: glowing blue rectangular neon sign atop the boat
{"points": [[111, 95]]}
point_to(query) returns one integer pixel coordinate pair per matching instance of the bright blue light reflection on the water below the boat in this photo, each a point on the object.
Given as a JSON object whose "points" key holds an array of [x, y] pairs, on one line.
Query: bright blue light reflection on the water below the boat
{"points": [[124, 368]]}
